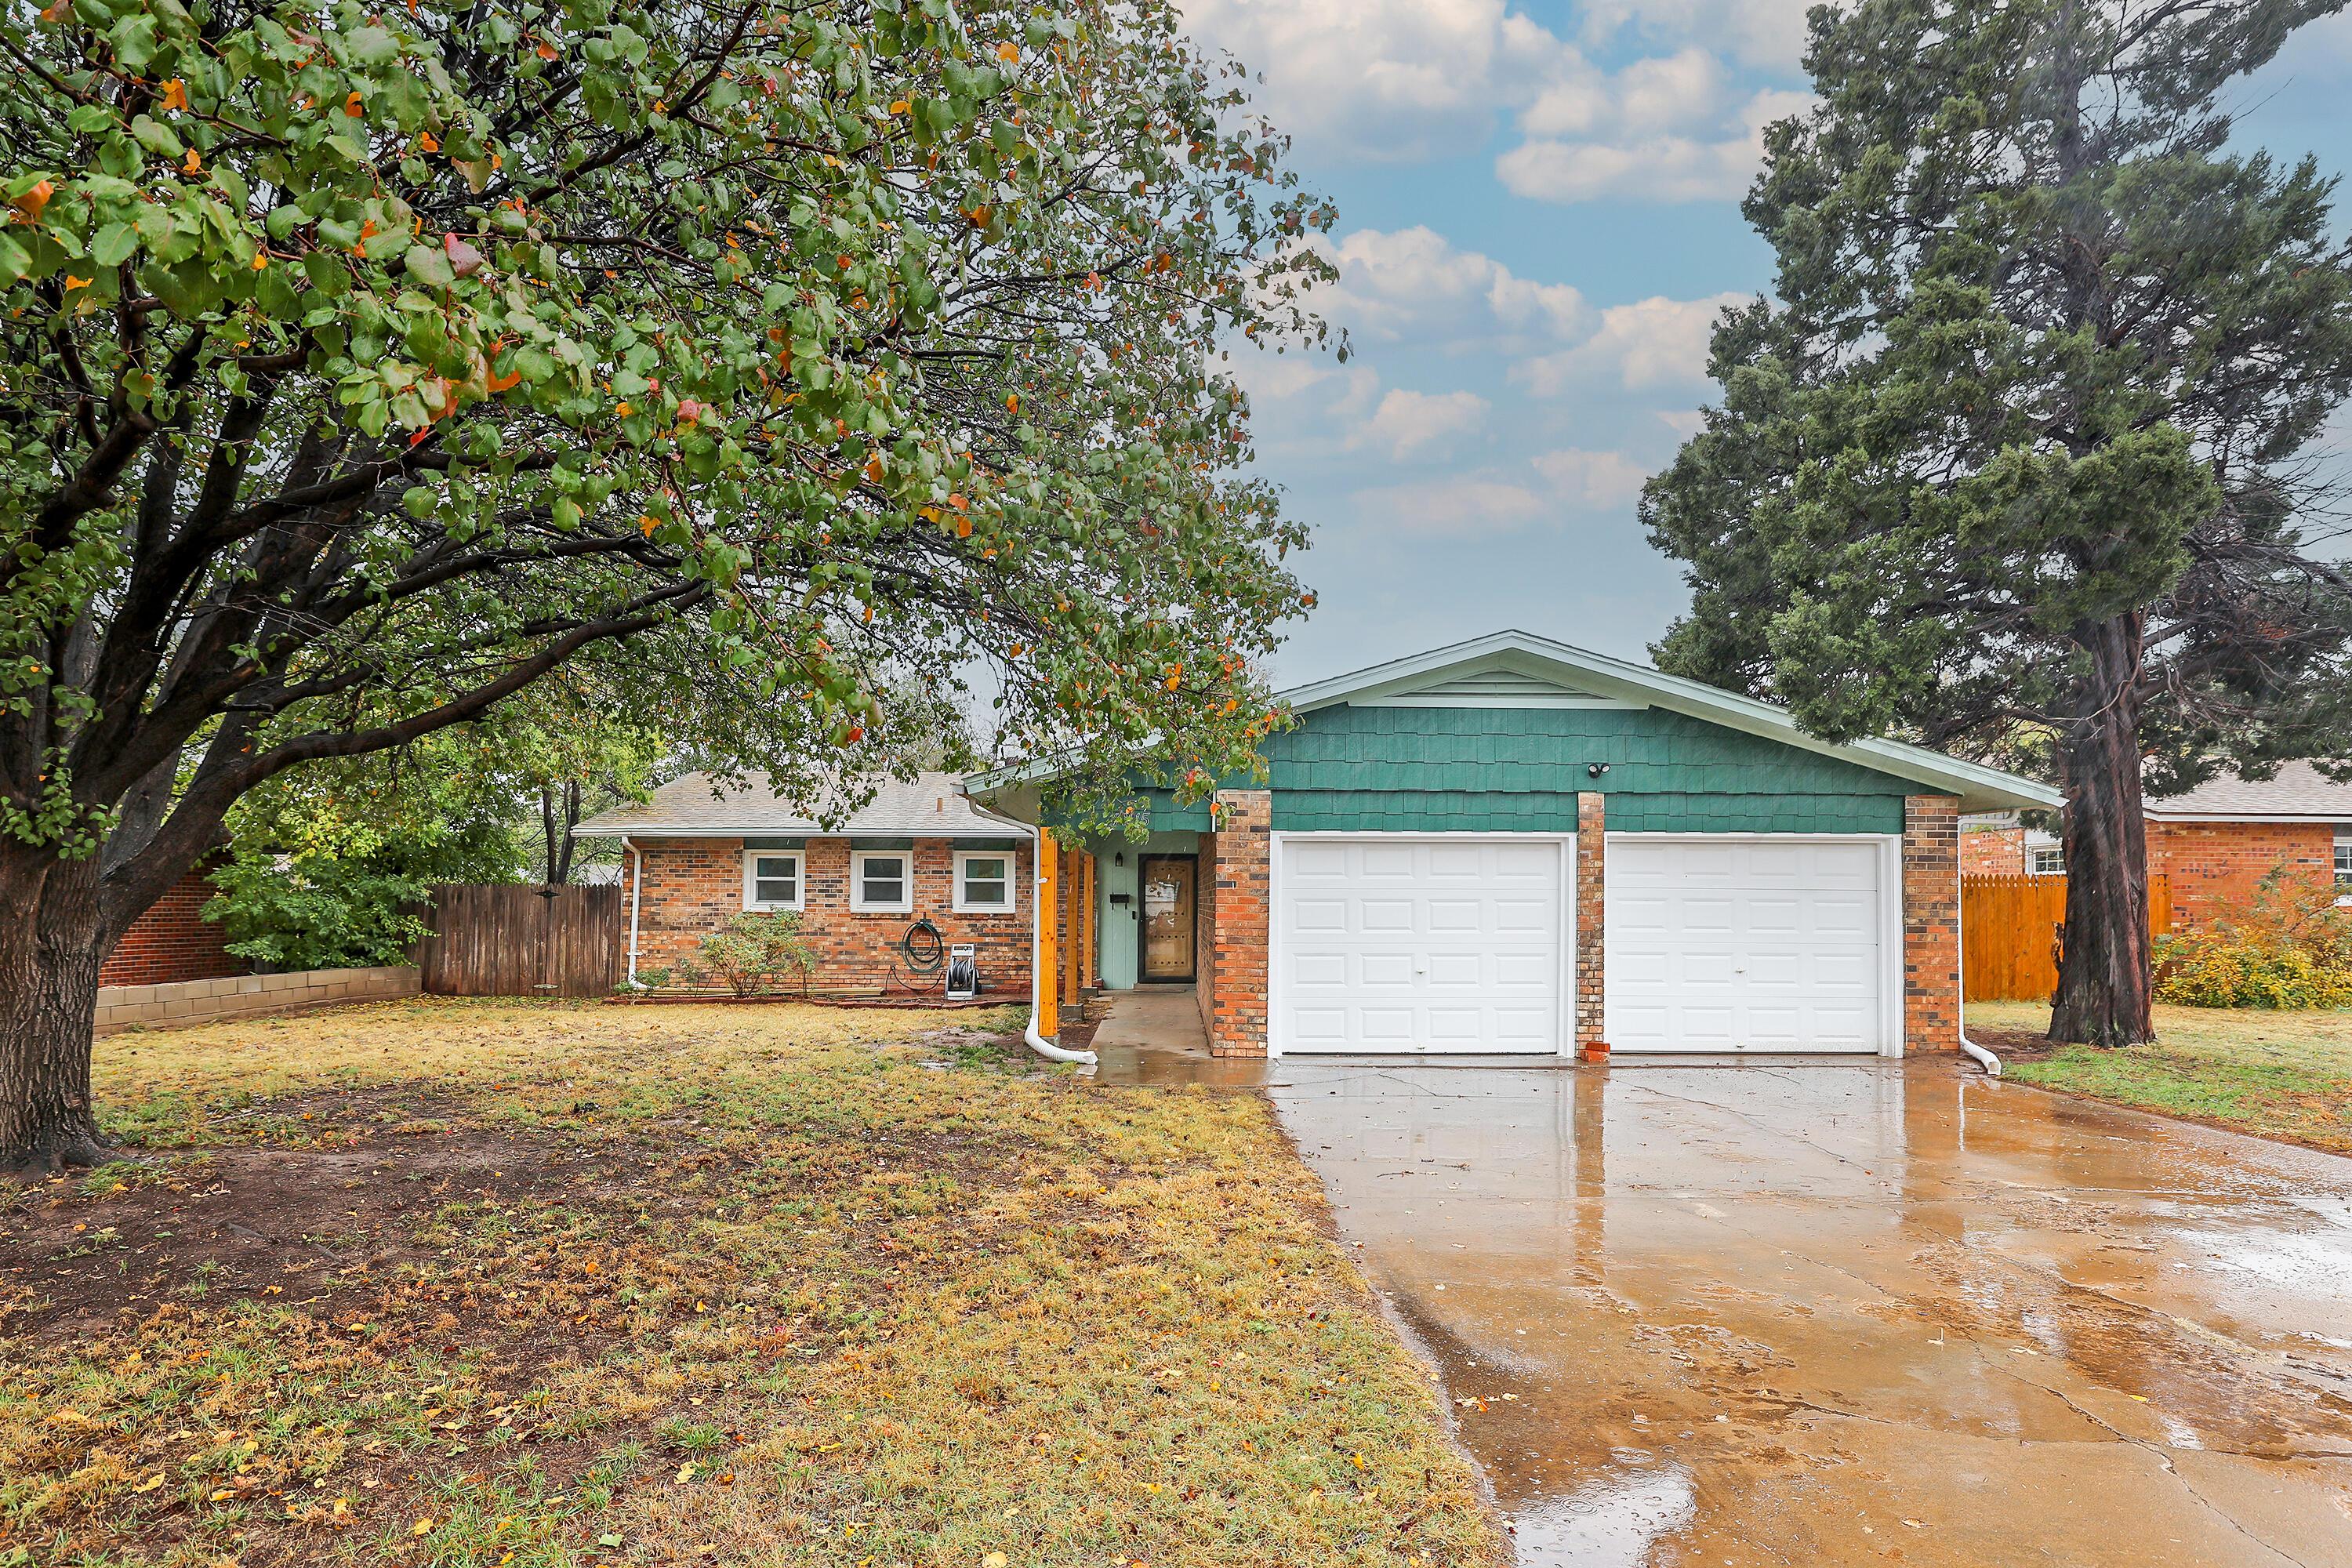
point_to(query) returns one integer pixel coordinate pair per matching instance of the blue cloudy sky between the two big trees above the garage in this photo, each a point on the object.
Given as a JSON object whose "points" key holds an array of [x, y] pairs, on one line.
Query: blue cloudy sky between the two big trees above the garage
{"points": [[1539, 220]]}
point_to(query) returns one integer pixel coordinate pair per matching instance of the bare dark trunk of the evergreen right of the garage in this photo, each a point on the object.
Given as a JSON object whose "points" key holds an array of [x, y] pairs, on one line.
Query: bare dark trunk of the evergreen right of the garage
{"points": [[2106, 977]]}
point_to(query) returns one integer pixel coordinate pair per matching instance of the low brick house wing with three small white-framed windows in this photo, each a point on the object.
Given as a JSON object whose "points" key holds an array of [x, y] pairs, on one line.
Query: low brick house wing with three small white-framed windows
{"points": [[697, 855]]}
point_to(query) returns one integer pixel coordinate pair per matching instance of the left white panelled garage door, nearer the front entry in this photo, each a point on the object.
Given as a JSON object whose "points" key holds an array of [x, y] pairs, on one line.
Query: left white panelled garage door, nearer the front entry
{"points": [[1394, 944]]}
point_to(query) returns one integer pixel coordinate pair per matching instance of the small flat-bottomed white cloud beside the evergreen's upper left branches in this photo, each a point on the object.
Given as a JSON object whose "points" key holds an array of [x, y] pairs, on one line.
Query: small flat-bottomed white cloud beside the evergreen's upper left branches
{"points": [[1636, 156]]}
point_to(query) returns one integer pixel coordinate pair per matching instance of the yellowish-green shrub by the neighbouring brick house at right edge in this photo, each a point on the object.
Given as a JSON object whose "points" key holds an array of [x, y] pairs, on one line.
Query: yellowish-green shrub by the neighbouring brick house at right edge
{"points": [[2285, 949]]}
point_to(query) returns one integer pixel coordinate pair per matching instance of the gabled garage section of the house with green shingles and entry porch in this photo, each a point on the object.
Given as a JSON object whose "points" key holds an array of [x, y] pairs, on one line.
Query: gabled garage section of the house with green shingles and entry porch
{"points": [[1523, 847]]}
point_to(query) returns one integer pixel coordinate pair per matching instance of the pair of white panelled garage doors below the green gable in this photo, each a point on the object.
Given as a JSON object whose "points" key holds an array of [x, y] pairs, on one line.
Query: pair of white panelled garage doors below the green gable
{"points": [[1464, 946]]}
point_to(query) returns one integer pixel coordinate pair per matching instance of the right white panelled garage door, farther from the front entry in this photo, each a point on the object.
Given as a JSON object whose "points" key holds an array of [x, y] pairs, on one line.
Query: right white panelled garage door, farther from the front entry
{"points": [[1744, 946]]}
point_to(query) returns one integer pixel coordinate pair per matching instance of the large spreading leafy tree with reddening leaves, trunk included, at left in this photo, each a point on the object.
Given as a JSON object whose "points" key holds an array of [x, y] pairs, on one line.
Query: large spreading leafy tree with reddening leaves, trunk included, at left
{"points": [[361, 366]]}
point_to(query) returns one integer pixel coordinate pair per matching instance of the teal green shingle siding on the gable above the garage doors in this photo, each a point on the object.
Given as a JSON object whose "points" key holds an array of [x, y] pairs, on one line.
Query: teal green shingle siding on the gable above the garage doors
{"points": [[1518, 770]]}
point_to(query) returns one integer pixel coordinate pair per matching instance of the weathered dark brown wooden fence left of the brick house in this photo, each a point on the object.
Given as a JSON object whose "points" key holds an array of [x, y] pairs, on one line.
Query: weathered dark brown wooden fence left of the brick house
{"points": [[523, 942]]}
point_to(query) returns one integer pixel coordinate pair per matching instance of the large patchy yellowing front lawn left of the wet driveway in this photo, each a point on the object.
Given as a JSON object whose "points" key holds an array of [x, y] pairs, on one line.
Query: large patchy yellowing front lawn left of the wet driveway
{"points": [[549, 1285]]}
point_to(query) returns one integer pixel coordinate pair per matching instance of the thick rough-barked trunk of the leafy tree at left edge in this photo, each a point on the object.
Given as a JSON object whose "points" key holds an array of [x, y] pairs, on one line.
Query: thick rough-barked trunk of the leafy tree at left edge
{"points": [[53, 942]]}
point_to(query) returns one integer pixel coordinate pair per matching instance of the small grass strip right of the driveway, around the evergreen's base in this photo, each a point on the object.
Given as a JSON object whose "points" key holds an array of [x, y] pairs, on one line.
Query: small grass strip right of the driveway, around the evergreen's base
{"points": [[2283, 1076]]}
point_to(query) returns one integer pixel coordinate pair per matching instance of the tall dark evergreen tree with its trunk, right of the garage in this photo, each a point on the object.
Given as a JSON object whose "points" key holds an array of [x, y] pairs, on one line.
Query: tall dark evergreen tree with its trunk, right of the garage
{"points": [[2022, 455]]}
